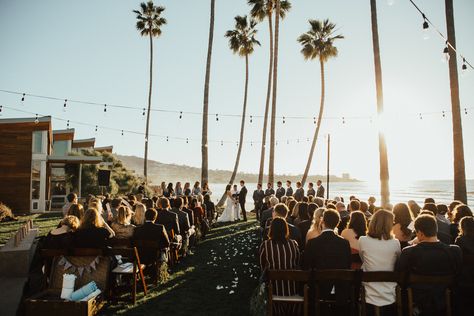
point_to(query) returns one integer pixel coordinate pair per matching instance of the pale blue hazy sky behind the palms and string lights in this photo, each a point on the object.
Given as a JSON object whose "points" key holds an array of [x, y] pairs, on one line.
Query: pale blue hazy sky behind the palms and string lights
{"points": [[90, 50]]}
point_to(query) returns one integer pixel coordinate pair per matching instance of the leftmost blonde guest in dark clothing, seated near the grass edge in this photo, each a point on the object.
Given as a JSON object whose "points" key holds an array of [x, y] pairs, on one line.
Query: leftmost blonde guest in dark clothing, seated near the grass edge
{"points": [[62, 237]]}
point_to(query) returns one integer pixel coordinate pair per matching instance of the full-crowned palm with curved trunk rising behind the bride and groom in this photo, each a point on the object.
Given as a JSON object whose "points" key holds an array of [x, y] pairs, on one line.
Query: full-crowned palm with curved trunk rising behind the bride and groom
{"points": [[242, 41]]}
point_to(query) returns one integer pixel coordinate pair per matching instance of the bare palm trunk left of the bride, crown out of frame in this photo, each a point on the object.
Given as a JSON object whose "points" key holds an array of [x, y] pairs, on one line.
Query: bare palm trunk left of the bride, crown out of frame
{"points": [[205, 110]]}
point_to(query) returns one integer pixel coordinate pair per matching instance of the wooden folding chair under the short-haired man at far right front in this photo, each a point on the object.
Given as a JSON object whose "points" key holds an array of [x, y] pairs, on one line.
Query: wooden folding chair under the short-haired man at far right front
{"points": [[446, 281]]}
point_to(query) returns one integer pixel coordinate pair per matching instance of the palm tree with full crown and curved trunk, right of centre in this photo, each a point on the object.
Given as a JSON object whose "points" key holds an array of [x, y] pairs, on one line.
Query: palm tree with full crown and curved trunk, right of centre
{"points": [[318, 43]]}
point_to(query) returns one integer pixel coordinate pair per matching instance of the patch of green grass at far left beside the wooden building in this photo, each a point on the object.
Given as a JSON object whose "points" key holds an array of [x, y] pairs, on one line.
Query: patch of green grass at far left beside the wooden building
{"points": [[45, 222]]}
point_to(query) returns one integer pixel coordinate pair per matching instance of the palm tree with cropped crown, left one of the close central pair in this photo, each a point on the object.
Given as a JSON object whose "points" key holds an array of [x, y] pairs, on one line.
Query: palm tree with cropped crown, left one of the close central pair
{"points": [[262, 9]]}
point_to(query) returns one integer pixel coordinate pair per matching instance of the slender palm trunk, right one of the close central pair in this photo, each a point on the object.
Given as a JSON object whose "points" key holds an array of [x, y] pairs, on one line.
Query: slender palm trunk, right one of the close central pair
{"points": [[271, 167]]}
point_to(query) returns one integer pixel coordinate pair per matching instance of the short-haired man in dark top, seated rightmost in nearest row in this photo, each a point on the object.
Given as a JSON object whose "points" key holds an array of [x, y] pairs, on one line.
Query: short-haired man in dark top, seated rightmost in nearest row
{"points": [[429, 257]]}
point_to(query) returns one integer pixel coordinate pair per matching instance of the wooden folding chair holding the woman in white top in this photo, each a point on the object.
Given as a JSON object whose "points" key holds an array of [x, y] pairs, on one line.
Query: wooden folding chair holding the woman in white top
{"points": [[381, 276]]}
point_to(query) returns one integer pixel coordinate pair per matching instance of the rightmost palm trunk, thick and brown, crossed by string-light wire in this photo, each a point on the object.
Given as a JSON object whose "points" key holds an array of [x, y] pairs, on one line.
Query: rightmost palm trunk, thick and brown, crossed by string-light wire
{"points": [[458, 147]]}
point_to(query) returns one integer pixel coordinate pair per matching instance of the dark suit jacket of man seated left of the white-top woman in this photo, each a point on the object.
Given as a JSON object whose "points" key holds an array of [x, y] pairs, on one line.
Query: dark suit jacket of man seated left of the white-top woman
{"points": [[328, 251]]}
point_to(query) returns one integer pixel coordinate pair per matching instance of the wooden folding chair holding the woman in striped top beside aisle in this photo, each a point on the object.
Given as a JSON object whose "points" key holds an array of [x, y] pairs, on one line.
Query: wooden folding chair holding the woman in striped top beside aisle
{"points": [[288, 275]]}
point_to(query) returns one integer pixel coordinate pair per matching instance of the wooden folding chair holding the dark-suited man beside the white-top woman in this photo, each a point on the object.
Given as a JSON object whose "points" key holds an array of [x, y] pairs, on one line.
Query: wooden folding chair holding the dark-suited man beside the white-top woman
{"points": [[338, 277]]}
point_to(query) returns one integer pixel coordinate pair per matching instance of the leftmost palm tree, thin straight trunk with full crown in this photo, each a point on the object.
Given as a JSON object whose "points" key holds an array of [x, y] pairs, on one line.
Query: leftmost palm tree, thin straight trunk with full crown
{"points": [[149, 23]]}
